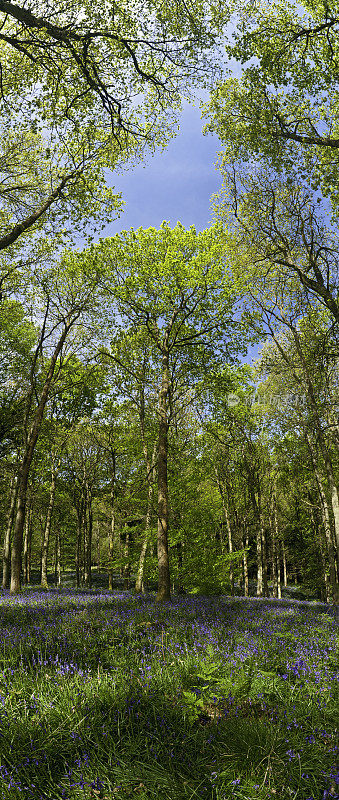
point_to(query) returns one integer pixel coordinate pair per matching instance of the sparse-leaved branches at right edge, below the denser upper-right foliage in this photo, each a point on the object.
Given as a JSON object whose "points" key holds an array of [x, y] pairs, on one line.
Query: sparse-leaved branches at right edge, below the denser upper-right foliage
{"points": [[280, 229]]}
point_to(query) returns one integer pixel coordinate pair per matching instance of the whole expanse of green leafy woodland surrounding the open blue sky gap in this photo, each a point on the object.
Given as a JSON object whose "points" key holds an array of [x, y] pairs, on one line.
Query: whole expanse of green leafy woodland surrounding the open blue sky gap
{"points": [[138, 440]]}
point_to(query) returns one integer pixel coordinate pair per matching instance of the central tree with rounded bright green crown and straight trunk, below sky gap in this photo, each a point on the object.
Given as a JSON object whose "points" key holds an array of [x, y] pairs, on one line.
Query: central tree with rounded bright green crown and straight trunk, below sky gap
{"points": [[174, 285]]}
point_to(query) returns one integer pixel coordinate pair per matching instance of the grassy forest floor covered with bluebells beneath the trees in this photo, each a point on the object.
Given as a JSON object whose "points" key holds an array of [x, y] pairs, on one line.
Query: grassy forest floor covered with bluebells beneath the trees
{"points": [[111, 696]]}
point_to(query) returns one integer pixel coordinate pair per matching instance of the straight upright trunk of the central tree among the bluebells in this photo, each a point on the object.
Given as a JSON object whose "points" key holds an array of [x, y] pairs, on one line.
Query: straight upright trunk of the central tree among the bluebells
{"points": [[164, 582]]}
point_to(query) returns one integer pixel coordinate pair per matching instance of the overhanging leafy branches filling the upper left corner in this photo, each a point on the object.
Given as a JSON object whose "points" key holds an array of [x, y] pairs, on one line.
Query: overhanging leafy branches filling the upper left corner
{"points": [[84, 88]]}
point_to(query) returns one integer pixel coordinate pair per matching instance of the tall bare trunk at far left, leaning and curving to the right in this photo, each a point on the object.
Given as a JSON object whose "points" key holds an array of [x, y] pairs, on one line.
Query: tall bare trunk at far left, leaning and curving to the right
{"points": [[25, 468]]}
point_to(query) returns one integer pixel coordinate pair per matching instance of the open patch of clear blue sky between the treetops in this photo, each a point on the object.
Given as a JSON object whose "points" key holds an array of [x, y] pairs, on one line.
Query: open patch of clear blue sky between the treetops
{"points": [[173, 185]]}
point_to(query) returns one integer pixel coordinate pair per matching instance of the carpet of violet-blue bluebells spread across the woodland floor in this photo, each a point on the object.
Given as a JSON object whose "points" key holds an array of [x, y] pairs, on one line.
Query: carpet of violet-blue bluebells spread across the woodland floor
{"points": [[66, 637]]}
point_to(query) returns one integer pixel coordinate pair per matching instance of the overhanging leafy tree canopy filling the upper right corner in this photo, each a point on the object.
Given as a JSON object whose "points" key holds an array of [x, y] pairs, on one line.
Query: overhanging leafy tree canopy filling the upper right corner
{"points": [[278, 124]]}
